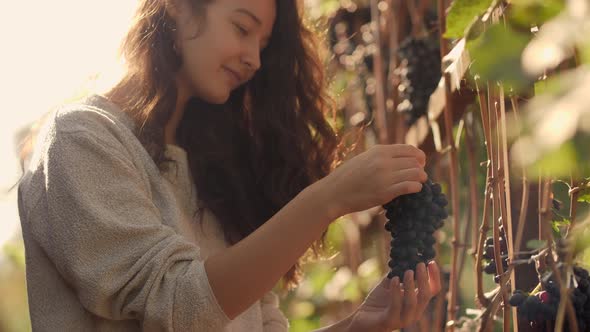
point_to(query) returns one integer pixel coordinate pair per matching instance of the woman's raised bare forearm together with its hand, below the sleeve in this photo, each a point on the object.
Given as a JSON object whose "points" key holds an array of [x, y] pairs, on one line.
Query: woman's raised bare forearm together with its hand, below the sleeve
{"points": [[243, 273]]}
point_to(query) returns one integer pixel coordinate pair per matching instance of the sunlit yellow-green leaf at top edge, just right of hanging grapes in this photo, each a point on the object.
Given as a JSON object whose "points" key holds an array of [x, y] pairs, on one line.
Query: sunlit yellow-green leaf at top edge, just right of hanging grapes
{"points": [[461, 15]]}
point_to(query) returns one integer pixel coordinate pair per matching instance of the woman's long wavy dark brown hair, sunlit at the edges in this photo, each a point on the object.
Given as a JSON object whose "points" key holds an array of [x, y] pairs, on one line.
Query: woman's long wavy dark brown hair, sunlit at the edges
{"points": [[252, 155]]}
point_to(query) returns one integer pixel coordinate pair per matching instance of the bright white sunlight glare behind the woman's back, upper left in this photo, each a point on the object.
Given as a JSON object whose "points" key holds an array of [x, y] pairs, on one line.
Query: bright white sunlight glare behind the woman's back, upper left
{"points": [[50, 49]]}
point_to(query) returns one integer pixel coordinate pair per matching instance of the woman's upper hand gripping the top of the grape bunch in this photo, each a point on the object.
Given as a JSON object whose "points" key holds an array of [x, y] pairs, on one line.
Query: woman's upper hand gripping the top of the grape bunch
{"points": [[374, 177]]}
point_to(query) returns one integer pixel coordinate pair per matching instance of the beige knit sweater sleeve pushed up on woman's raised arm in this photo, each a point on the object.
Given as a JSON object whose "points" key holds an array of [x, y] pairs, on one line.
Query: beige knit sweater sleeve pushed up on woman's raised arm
{"points": [[106, 237]]}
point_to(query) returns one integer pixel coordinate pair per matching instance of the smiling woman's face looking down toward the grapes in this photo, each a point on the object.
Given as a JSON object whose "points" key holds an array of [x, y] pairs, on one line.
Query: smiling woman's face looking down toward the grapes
{"points": [[221, 51]]}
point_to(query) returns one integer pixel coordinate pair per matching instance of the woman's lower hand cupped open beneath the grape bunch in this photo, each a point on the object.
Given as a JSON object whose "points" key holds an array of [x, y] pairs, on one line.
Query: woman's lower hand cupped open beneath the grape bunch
{"points": [[391, 306]]}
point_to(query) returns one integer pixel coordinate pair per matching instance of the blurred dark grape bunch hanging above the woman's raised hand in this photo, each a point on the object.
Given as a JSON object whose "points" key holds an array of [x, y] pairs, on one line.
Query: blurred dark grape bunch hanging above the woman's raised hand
{"points": [[419, 72]]}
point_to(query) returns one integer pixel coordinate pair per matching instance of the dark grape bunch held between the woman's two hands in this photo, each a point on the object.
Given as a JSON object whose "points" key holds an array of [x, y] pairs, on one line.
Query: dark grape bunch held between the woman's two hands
{"points": [[412, 220]]}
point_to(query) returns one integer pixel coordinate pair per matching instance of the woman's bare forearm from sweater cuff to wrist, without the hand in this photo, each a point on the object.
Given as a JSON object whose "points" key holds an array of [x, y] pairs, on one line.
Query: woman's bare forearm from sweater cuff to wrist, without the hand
{"points": [[241, 274]]}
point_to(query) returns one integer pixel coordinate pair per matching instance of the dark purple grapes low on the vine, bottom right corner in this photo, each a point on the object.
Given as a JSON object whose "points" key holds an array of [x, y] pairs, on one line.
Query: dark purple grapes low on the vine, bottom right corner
{"points": [[542, 307]]}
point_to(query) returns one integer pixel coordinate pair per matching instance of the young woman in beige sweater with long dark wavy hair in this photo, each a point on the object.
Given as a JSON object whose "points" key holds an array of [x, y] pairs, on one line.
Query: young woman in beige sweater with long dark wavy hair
{"points": [[178, 198]]}
